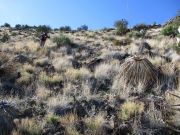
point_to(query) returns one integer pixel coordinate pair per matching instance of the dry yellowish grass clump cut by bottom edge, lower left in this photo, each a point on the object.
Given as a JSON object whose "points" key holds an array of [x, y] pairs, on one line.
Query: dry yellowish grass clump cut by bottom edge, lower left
{"points": [[28, 127]]}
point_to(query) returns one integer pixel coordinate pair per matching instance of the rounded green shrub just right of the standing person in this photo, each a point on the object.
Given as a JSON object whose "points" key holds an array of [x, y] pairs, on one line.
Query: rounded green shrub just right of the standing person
{"points": [[62, 40]]}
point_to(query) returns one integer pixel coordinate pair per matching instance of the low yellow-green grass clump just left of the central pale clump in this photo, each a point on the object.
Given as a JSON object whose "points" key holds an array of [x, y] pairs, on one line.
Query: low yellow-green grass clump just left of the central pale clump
{"points": [[50, 79]]}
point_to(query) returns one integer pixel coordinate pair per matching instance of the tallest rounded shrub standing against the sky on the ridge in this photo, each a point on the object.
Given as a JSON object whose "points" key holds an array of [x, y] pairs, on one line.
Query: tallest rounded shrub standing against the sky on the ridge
{"points": [[121, 27]]}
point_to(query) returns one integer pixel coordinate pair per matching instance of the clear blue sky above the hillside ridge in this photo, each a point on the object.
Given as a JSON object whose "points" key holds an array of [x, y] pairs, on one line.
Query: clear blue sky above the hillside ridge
{"points": [[96, 14]]}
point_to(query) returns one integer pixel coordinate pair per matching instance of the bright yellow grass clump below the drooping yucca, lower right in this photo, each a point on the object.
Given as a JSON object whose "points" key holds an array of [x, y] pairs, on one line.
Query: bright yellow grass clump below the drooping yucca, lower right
{"points": [[130, 109]]}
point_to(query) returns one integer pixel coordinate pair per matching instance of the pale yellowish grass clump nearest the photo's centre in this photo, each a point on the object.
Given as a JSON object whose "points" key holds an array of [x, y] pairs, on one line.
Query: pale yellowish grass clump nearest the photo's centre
{"points": [[77, 74]]}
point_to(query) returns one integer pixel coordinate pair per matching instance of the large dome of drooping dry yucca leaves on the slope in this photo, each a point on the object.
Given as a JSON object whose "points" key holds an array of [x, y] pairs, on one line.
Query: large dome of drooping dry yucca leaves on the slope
{"points": [[137, 71]]}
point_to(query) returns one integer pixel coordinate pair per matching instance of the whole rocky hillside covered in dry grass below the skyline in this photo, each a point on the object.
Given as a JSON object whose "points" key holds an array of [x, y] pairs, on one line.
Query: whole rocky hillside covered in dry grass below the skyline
{"points": [[103, 84]]}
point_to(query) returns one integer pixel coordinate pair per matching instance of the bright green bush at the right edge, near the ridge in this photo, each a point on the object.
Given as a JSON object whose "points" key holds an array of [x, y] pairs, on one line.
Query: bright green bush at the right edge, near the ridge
{"points": [[170, 30]]}
